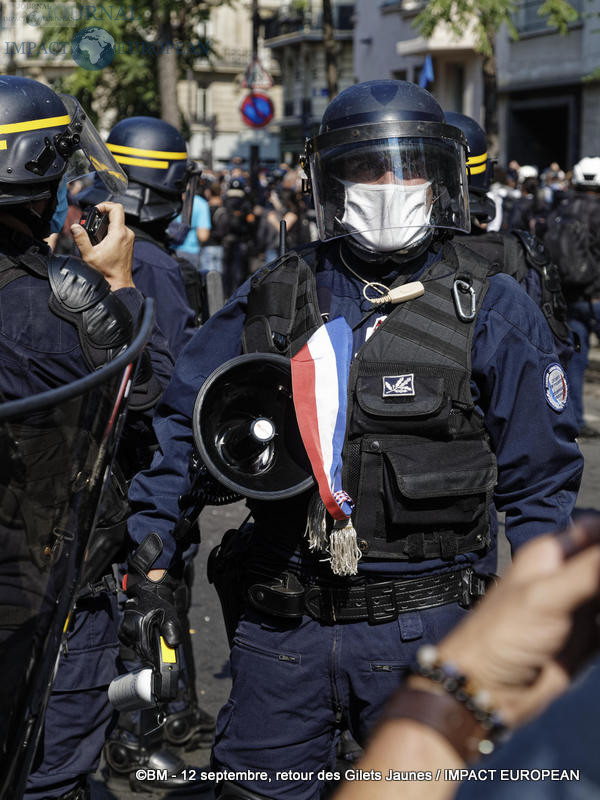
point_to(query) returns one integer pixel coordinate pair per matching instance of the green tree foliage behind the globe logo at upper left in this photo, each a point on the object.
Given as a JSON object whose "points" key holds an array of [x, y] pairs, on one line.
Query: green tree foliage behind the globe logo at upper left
{"points": [[142, 29]]}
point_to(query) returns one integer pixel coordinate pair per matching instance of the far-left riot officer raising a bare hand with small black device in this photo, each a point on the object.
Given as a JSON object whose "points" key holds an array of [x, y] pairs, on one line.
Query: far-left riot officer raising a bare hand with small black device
{"points": [[60, 319]]}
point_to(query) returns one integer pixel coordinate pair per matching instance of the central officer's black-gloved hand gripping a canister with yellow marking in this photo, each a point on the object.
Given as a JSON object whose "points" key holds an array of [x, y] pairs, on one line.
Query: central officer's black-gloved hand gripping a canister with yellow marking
{"points": [[151, 606]]}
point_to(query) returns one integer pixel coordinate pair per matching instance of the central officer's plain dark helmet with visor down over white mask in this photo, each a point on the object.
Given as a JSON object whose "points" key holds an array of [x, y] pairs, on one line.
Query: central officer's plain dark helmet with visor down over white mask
{"points": [[386, 170]]}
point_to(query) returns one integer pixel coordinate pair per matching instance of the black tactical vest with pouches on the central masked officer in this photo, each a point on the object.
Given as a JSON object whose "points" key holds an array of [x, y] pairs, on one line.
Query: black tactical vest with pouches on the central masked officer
{"points": [[416, 460]]}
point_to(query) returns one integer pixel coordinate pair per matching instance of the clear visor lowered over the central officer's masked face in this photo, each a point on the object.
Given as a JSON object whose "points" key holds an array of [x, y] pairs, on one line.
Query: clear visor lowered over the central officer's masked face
{"points": [[390, 184]]}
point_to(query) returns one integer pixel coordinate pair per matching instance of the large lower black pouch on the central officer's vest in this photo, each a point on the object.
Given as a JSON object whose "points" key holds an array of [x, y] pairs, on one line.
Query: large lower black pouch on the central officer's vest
{"points": [[428, 490]]}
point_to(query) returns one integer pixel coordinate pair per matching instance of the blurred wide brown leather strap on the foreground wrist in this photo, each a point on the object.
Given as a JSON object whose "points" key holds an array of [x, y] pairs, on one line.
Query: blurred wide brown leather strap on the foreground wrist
{"points": [[443, 713]]}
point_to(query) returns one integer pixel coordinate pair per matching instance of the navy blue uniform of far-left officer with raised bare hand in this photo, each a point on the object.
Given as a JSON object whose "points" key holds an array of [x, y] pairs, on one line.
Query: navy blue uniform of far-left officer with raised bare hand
{"points": [[40, 351]]}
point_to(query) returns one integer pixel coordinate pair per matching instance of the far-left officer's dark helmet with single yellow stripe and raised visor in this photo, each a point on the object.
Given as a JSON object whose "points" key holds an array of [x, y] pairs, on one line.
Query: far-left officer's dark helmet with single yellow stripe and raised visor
{"points": [[45, 137]]}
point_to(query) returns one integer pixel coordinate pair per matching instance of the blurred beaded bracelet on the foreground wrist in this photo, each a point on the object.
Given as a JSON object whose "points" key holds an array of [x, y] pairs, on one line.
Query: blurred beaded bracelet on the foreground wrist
{"points": [[476, 701]]}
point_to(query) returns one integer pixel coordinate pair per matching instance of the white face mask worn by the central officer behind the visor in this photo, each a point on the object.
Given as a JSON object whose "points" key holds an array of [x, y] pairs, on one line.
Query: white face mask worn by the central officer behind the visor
{"points": [[387, 216]]}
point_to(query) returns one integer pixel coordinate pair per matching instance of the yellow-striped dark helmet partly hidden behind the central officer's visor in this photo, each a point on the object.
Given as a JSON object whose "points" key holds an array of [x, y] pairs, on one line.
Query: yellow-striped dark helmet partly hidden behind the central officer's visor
{"points": [[479, 166]]}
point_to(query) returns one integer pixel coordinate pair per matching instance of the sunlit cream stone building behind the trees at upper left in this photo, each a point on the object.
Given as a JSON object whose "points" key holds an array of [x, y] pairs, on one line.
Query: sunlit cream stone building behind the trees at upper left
{"points": [[209, 97]]}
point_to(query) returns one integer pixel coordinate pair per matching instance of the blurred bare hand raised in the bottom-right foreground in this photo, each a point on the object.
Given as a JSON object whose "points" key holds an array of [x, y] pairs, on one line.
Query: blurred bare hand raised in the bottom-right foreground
{"points": [[536, 626]]}
